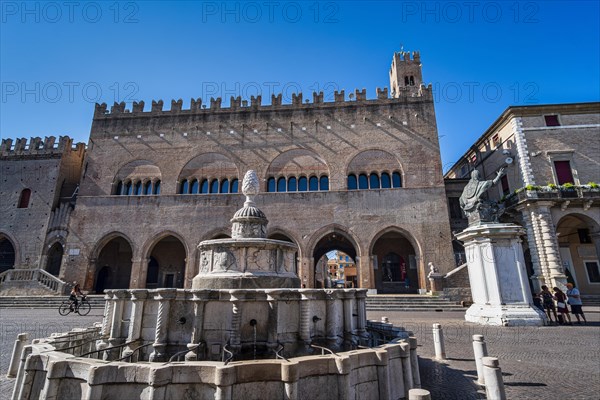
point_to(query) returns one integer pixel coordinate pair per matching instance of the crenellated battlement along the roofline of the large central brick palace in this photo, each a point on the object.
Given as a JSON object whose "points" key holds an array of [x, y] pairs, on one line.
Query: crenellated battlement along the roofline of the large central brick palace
{"points": [[236, 104]]}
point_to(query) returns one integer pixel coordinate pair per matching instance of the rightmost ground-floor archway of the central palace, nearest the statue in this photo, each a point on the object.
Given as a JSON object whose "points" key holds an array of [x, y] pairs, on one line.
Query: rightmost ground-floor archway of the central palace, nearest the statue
{"points": [[395, 263]]}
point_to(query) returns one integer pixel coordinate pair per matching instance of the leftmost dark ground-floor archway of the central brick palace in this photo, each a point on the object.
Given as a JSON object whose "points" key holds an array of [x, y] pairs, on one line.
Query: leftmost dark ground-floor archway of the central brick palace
{"points": [[113, 265]]}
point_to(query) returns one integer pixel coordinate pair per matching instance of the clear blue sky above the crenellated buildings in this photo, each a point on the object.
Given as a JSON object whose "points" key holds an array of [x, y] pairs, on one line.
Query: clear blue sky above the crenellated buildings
{"points": [[58, 59]]}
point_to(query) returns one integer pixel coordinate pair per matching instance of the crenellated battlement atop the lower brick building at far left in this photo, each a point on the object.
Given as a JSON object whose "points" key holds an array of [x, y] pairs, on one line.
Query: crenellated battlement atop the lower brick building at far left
{"points": [[39, 147]]}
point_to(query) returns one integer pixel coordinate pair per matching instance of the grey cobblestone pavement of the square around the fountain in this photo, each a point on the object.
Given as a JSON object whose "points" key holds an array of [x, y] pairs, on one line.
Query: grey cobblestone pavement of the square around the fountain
{"points": [[553, 362]]}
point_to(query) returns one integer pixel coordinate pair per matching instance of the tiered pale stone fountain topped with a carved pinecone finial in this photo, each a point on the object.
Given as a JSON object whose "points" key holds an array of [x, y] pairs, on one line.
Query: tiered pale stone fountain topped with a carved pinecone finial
{"points": [[244, 330]]}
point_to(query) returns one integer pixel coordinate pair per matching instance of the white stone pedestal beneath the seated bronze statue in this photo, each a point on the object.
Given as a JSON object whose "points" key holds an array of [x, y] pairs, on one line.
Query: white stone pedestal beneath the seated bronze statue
{"points": [[498, 277]]}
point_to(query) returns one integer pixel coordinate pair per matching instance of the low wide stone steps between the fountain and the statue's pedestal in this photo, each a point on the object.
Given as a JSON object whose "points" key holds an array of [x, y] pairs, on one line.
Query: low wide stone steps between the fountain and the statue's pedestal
{"points": [[402, 302]]}
